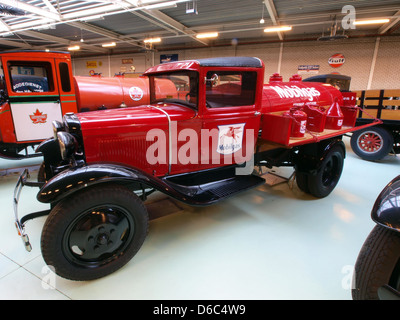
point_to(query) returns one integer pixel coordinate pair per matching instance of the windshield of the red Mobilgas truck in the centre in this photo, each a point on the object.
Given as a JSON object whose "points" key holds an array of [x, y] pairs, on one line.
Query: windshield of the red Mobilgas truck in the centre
{"points": [[177, 87]]}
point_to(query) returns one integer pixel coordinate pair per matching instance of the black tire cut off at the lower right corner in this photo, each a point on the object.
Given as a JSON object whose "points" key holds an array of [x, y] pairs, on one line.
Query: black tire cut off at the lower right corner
{"points": [[378, 264]]}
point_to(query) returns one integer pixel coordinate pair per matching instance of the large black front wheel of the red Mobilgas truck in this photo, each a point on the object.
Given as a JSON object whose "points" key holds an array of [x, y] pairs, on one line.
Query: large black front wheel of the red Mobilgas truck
{"points": [[94, 232]]}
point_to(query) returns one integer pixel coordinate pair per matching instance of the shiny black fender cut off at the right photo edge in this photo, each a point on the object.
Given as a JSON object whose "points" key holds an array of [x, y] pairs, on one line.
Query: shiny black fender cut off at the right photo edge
{"points": [[386, 210]]}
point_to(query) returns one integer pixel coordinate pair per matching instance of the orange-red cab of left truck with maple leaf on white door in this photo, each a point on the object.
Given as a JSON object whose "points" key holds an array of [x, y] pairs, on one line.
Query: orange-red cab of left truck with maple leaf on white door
{"points": [[36, 89]]}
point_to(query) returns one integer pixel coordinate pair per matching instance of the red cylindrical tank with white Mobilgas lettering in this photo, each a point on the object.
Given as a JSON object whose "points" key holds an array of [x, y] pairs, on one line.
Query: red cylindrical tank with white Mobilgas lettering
{"points": [[281, 96]]}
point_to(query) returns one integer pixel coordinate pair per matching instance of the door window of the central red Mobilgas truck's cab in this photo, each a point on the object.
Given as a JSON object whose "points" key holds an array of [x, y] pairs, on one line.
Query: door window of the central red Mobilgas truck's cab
{"points": [[230, 88]]}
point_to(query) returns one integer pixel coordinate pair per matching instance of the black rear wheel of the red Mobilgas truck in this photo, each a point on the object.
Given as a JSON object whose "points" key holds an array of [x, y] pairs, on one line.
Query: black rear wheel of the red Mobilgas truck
{"points": [[322, 183]]}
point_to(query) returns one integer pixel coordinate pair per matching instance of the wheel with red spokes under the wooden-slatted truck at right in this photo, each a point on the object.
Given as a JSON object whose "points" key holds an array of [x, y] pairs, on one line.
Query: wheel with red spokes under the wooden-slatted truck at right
{"points": [[372, 143]]}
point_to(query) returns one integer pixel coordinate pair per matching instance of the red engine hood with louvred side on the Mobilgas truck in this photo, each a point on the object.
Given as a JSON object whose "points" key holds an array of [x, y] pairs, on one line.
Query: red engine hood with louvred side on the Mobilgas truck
{"points": [[123, 135]]}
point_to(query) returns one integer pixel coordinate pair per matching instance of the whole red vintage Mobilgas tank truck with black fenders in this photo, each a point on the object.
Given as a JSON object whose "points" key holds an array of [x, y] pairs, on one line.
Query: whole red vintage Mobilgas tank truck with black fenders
{"points": [[198, 147]]}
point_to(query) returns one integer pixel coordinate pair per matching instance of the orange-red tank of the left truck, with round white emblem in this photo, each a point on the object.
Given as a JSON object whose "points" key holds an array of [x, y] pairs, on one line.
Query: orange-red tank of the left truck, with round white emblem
{"points": [[94, 93]]}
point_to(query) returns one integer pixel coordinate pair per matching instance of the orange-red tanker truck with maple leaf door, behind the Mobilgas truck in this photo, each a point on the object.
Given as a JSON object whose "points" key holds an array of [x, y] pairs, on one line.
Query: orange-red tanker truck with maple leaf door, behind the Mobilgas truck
{"points": [[37, 88]]}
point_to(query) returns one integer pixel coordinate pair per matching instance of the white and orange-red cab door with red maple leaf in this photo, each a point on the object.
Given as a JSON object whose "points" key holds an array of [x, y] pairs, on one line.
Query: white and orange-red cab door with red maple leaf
{"points": [[34, 97]]}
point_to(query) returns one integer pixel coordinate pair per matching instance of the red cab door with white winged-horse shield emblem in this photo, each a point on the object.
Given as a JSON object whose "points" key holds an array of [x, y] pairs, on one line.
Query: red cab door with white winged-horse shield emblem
{"points": [[230, 116]]}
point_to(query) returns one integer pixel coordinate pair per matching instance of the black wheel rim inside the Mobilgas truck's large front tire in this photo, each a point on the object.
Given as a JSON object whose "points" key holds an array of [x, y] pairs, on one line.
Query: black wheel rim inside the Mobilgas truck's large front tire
{"points": [[98, 235]]}
